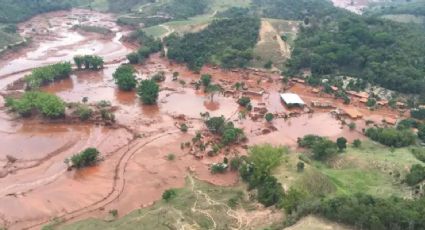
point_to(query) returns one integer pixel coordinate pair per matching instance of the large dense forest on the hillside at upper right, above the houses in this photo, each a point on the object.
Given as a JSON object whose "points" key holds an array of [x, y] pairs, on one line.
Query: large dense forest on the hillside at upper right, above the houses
{"points": [[379, 51]]}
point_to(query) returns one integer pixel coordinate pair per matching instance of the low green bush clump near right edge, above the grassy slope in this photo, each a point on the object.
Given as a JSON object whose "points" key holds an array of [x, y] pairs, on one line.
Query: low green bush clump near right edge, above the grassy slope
{"points": [[391, 136]]}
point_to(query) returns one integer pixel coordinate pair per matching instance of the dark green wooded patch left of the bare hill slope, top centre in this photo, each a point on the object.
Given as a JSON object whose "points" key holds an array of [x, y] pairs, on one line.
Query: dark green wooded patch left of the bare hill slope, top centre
{"points": [[226, 42]]}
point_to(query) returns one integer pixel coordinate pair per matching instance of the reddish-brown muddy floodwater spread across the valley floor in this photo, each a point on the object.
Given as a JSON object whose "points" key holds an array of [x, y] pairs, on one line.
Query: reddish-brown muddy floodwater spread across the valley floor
{"points": [[35, 185]]}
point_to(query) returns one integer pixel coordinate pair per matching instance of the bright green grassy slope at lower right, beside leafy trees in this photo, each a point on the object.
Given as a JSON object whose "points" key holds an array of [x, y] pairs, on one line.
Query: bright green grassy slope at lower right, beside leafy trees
{"points": [[373, 169]]}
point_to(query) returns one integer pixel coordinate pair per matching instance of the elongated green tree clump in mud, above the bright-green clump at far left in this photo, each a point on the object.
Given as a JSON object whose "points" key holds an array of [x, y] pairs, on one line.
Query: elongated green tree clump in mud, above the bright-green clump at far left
{"points": [[47, 74]]}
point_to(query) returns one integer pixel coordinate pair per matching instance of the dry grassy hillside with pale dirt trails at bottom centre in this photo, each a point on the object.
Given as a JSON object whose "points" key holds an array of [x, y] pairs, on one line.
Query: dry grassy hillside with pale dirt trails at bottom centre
{"points": [[197, 206]]}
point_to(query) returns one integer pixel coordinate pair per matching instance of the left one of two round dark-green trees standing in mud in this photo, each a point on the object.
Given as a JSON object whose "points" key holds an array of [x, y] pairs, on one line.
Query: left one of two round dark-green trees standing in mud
{"points": [[124, 77]]}
